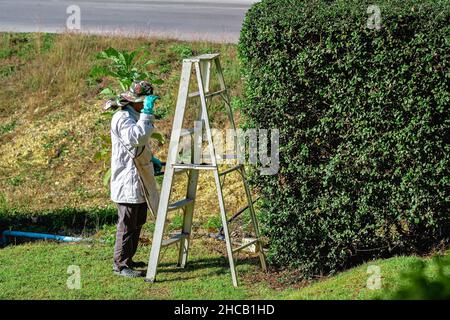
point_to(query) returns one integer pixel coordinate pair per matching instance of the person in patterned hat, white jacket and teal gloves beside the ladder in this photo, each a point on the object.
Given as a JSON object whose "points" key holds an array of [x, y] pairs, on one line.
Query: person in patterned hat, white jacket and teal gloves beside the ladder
{"points": [[132, 175]]}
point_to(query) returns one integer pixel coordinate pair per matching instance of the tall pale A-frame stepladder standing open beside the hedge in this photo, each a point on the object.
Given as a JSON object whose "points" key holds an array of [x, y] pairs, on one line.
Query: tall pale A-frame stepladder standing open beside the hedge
{"points": [[201, 65]]}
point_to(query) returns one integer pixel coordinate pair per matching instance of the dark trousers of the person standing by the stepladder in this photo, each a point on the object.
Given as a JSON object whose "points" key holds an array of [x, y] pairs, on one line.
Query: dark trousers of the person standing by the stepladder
{"points": [[132, 217]]}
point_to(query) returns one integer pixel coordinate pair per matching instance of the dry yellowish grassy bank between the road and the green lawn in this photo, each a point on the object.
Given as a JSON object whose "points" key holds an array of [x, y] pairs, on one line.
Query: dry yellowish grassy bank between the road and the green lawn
{"points": [[51, 111]]}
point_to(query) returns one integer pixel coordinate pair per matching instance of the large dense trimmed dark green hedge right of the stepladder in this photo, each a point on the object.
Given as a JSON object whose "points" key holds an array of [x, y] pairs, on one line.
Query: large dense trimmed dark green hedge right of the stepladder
{"points": [[363, 116]]}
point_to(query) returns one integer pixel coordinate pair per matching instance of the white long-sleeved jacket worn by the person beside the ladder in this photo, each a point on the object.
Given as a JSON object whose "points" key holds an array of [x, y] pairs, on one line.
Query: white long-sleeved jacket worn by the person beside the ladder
{"points": [[129, 130]]}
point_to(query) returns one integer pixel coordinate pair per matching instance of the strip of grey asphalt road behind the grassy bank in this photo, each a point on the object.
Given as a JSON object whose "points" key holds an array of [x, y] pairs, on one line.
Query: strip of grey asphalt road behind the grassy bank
{"points": [[194, 19]]}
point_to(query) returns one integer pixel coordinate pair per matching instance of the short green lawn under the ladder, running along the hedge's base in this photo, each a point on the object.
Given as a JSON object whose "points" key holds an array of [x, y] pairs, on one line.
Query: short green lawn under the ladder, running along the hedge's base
{"points": [[39, 271]]}
